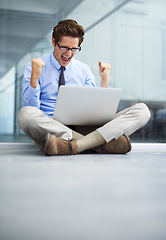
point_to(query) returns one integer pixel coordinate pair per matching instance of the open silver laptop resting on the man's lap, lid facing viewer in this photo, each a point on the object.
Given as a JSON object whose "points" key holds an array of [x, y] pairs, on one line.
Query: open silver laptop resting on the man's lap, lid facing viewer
{"points": [[86, 105]]}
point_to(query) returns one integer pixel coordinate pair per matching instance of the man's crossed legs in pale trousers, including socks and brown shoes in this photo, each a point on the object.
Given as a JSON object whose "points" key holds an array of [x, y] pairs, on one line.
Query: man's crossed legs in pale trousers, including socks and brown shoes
{"points": [[55, 138]]}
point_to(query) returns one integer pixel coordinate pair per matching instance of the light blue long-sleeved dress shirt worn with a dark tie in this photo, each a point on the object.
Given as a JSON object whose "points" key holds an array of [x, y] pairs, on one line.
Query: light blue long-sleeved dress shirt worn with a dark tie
{"points": [[44, 96]]}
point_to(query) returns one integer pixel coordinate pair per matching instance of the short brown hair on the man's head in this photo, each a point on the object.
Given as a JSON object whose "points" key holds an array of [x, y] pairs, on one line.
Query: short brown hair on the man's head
{"points": [[70, 28]]}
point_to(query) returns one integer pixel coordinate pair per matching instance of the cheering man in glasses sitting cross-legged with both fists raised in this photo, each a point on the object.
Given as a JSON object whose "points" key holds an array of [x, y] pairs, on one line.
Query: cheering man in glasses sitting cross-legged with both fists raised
{"points": [[40, 89]]}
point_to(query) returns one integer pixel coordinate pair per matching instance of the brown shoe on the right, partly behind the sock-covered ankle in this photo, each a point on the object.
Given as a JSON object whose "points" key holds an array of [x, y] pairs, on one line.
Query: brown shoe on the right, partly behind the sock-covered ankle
{"points": [[120, 146]]}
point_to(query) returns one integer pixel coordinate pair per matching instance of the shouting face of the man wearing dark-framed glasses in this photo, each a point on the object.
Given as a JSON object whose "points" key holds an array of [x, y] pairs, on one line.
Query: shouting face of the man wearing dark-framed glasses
{"points": [[65, 57]]}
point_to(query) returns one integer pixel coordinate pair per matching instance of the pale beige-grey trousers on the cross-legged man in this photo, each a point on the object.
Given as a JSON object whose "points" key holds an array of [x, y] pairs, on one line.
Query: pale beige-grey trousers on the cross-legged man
{"points": [[36, 124]]}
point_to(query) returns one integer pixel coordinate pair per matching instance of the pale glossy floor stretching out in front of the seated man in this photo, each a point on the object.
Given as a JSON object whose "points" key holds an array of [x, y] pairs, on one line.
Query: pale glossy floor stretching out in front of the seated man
{"points": [[82, 197]]}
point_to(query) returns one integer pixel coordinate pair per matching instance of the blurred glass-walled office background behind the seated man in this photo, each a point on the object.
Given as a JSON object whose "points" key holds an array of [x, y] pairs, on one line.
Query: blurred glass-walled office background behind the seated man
{"points": [[131, 35]]}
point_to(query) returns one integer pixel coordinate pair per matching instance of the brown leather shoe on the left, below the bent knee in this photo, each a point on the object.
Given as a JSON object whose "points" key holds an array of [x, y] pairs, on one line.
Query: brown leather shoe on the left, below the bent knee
{"points": [[58, 146]]}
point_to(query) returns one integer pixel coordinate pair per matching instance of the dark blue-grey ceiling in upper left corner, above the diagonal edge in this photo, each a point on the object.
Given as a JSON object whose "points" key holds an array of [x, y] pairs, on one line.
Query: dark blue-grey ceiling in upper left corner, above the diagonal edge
{"points": [[23, 23]]}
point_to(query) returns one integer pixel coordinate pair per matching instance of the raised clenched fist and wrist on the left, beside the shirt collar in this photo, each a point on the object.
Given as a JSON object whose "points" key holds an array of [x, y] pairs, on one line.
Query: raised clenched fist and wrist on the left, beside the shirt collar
{"points": [[37, 65]]}
